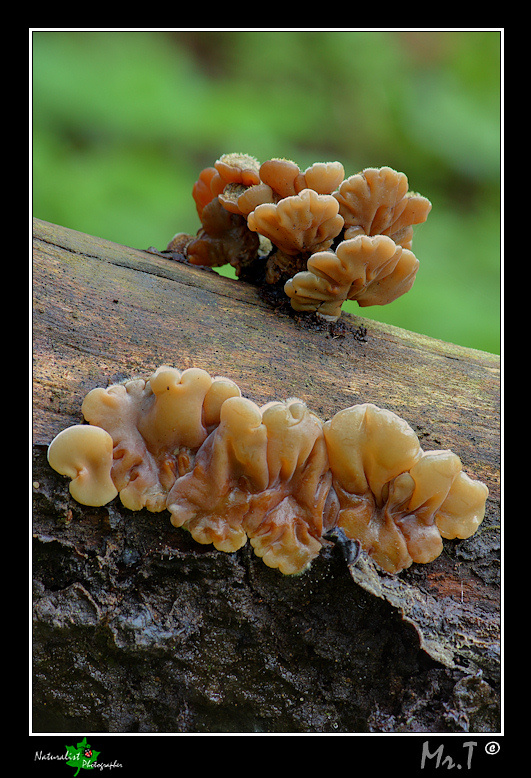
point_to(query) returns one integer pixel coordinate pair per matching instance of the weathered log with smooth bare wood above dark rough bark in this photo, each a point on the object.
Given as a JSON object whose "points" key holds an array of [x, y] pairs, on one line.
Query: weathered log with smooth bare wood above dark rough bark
{"points": [[139, 629]]}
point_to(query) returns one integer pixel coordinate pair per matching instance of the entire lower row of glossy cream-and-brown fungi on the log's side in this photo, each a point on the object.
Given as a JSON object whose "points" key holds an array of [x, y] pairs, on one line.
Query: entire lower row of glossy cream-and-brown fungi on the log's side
{"points": [[228, 470]]}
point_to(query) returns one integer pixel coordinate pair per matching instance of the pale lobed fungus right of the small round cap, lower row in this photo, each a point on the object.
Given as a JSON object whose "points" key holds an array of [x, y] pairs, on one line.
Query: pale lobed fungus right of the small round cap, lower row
{"points": [[156, 426]]}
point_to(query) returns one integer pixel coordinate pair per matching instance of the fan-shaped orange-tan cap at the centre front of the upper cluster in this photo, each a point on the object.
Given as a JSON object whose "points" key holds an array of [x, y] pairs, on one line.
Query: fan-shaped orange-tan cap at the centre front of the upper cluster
{"points": [[297, 224]]}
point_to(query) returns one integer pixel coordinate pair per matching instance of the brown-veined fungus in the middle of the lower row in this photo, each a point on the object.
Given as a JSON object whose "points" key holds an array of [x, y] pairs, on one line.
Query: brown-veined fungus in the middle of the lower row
{"points": [[262, 475]]}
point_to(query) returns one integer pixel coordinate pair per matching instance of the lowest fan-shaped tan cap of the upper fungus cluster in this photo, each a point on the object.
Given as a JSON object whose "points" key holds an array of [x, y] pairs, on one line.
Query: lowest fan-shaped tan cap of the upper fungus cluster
{"points": [[370, 270]]}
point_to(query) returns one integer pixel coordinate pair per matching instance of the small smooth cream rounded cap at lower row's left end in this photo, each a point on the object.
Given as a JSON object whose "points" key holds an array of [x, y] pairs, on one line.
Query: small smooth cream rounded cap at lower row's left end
{"points": [[84, 454]]}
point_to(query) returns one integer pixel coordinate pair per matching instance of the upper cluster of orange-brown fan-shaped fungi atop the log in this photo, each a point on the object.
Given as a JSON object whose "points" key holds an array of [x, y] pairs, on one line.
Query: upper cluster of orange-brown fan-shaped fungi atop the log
{"points": [[323, 237]]}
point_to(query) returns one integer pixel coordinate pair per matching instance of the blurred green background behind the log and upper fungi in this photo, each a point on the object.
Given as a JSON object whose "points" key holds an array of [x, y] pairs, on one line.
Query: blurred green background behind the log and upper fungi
{"points": [[124, 121]]}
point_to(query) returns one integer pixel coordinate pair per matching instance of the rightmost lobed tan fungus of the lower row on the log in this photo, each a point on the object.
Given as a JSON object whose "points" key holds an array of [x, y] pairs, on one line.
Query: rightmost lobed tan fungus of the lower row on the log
{"points": [[394, 498]]}
